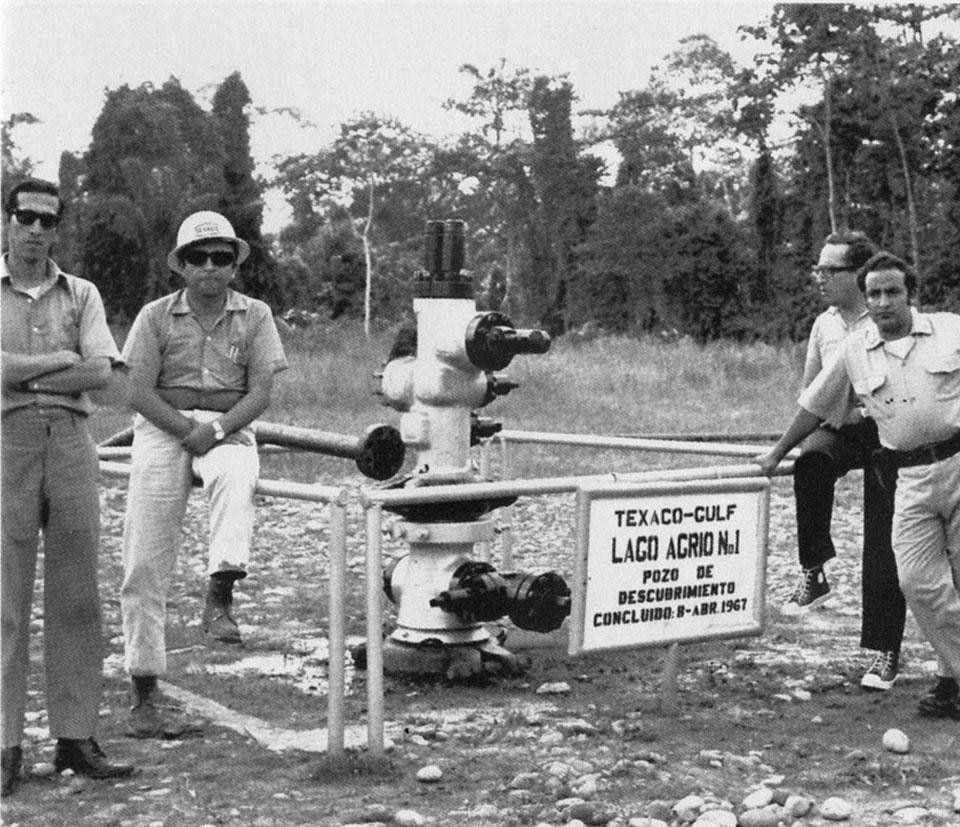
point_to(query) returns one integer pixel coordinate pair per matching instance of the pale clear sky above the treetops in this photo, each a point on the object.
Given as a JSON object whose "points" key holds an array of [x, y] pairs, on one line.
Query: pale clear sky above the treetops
{"points": [[329, 59]]}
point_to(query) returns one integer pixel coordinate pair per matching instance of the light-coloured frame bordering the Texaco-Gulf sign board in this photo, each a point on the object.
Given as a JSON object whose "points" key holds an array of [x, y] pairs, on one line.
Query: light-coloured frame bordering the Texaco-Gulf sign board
{"points": [[588, 493]]}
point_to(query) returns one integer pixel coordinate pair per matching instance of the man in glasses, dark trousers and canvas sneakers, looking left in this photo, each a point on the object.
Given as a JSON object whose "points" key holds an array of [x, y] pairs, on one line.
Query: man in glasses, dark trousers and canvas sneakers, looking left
{"points": [[827, 454]]}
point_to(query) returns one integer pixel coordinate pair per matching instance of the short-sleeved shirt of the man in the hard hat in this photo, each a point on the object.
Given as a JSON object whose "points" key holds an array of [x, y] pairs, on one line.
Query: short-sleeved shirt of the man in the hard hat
{"points": [[168, 342]]}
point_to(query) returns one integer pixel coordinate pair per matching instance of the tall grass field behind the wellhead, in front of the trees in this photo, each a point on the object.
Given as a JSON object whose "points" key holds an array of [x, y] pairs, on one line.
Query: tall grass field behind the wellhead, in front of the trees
{"points": [[608, 385]]}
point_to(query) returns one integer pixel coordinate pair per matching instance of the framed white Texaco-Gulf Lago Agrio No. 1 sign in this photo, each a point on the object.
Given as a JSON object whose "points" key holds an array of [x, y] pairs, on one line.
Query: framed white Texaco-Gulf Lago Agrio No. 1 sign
{"points": [[660, 563]]}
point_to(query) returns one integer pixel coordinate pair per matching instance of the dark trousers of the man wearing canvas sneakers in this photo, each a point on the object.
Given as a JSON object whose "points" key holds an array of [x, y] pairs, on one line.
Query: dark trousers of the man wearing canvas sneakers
{"points": [[825, 456]]}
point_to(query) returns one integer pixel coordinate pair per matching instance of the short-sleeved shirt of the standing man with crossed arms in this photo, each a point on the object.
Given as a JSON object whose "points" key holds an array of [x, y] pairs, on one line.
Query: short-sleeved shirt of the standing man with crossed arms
{"points": [[67, 316]]}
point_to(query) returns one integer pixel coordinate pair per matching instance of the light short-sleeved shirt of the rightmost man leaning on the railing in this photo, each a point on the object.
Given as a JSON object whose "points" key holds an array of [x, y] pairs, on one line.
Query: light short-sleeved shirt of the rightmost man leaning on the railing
{"points": [[911, 387]]}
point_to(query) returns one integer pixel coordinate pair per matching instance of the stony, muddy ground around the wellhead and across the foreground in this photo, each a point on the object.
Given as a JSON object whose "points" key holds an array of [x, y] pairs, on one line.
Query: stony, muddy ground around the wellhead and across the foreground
{"points": [[783, 710]]}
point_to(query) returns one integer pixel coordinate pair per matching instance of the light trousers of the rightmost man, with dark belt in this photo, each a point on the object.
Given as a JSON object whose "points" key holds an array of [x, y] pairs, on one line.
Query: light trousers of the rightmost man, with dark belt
{"points": [[926, 542]]}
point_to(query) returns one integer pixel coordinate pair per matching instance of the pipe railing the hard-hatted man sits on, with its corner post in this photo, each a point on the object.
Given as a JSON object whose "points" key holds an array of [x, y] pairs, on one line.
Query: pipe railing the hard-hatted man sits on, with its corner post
{"points": [[336, 498]]}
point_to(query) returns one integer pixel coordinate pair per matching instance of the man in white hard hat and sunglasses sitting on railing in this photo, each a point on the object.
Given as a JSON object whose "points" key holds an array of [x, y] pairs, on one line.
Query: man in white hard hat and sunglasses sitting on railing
{"points": [[201, 363]]}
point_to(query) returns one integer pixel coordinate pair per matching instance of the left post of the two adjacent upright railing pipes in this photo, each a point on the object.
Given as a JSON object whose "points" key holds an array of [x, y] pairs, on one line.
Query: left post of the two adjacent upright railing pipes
{"points": [[337, 633]]}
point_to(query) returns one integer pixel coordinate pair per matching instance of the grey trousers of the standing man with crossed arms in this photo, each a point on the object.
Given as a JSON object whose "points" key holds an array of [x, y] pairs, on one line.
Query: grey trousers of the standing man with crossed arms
{"points": [[51, 487]]}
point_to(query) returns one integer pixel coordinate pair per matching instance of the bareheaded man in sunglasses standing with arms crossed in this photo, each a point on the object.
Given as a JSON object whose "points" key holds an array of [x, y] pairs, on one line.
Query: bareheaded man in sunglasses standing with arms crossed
{"points": [[56, 347]]}
